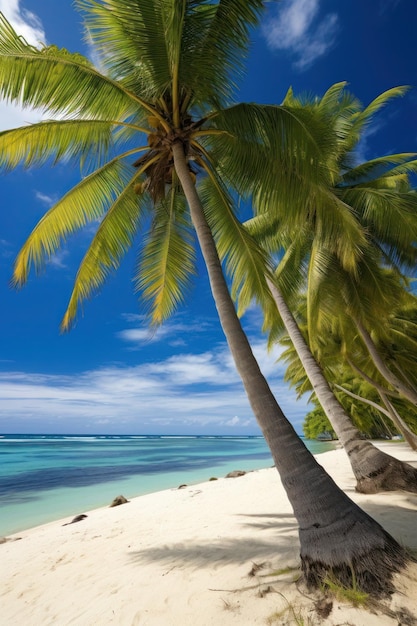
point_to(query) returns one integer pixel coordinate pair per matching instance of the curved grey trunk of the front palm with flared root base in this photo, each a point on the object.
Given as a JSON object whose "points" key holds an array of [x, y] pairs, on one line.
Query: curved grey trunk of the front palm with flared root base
{"points": [[335, 534]]}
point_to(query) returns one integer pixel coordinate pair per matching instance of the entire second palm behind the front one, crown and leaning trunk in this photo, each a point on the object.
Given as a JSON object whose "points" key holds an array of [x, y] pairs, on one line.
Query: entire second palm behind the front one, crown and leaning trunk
{"points": [[316, 246]]}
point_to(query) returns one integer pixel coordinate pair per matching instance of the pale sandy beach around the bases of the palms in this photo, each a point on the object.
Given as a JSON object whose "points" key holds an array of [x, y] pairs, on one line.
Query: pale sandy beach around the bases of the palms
{"points": [[183, 557]]}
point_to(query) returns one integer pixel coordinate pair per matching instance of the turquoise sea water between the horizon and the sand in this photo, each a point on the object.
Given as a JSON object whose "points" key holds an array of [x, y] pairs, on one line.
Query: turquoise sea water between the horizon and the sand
{"points": [[49, 477]]}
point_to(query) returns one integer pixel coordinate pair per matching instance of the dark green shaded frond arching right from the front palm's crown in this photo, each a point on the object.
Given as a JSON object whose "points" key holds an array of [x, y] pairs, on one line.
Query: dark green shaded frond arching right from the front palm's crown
{"points": [[279, 148]]}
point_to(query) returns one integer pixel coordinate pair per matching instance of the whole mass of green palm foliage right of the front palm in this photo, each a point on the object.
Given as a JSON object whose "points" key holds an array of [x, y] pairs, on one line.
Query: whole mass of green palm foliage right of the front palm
{"points": [[349, 258]]}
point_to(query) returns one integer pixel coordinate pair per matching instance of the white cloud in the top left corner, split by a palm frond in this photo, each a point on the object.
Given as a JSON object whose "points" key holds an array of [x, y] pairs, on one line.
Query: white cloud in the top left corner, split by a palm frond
{"points": [[29, 26]]}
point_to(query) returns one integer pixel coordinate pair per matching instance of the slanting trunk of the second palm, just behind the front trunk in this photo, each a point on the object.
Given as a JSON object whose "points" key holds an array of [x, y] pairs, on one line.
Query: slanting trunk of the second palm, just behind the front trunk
{"points": [[373, 469]]}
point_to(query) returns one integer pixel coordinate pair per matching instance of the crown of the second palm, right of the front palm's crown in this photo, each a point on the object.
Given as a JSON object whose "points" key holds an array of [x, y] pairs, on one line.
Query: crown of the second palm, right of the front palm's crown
{"points": [[375, 202]]}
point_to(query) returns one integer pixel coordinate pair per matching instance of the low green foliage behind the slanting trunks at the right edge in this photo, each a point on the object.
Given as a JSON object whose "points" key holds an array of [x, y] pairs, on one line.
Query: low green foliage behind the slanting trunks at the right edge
{"points": [[334, 355]]}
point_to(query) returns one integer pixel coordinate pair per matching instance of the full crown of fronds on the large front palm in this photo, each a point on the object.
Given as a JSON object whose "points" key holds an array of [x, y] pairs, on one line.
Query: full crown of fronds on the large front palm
{"points": [[163, 81]]}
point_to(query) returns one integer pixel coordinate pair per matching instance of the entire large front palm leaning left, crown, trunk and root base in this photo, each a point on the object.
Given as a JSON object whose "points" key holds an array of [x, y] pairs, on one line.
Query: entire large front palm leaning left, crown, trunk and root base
{"points": [[146, 126]]}
